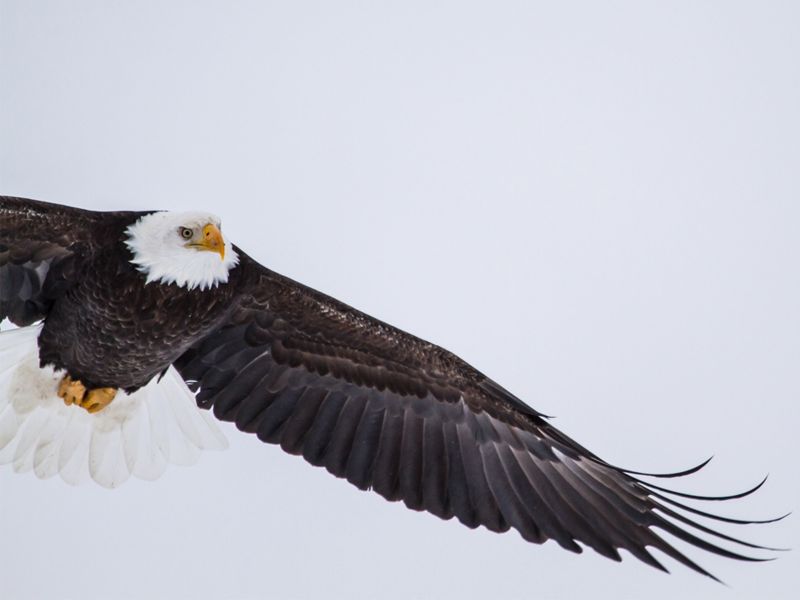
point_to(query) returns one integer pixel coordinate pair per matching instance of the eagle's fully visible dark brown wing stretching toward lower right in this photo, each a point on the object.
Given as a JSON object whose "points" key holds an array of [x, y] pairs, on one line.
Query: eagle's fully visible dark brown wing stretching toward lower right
{"points": [[396, 414]]}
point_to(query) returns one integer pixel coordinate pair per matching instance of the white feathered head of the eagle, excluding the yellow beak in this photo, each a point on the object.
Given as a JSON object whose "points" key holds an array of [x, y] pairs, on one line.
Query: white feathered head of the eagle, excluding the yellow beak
{"points": [[160, 250]]}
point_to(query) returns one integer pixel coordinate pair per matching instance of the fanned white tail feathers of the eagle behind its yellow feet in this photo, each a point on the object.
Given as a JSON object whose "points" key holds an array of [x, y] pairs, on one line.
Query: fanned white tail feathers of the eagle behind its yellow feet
{"points": [[137, 434]]}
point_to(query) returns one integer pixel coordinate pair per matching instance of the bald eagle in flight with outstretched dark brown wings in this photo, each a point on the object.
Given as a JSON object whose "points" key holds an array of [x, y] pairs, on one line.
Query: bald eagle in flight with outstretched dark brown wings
{"points": [[132, 326]]}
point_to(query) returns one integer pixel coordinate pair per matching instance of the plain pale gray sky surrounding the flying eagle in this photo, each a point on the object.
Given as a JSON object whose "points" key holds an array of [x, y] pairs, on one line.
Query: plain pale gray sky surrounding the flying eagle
{"points": [[597, 203]]}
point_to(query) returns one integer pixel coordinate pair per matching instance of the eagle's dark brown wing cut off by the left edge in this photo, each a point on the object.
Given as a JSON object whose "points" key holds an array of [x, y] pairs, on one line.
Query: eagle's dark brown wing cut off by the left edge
{"points": [[38, 242]]}
